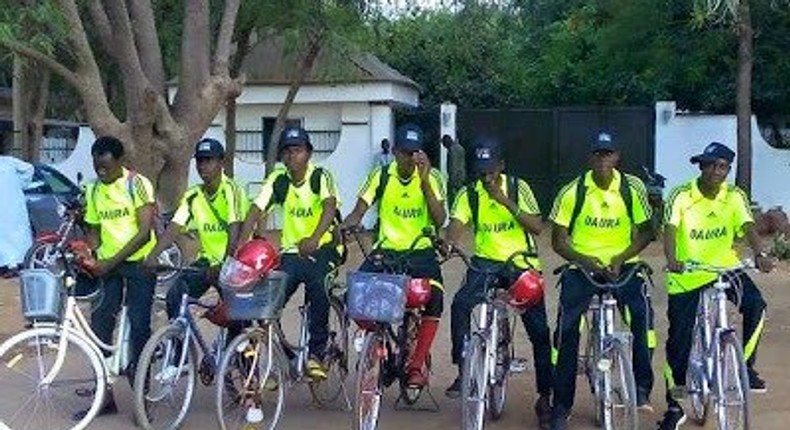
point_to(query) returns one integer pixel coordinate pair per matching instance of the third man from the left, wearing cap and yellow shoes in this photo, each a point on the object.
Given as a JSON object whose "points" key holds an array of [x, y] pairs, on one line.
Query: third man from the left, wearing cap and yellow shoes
{"points": [[307, 196]]}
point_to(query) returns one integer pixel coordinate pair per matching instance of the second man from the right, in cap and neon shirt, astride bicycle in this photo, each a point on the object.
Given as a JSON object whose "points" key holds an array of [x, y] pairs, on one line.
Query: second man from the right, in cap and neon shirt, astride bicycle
{"points": [[601, 221]]}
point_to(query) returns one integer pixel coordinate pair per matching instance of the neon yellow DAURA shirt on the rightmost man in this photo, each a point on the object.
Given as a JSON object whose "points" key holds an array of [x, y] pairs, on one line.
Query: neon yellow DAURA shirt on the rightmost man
{"points": [[706, 230]]}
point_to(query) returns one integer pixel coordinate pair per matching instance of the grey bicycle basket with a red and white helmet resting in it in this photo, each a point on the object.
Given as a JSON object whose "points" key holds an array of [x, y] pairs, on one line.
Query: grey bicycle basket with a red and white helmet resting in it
{"points": [[264, 301]]}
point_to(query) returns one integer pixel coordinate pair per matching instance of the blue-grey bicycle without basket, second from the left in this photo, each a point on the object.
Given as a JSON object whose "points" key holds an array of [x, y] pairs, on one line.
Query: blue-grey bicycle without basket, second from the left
{"points": [[176, 352]]}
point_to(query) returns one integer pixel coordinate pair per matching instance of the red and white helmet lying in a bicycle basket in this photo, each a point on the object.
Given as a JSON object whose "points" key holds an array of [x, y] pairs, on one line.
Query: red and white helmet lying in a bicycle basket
{"points": [[253, 261]]}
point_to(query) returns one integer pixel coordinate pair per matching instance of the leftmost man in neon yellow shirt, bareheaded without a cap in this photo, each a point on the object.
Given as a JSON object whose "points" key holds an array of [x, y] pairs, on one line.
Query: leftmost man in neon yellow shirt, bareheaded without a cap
{"points": [[119, 212]]}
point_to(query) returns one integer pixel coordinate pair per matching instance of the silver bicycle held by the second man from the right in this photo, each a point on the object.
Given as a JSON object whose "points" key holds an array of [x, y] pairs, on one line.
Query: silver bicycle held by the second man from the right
{"points": [[607, 355]]}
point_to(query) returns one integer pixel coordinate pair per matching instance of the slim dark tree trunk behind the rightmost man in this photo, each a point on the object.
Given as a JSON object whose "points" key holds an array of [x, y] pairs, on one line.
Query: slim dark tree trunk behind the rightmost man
{"points": [[743, 175]]}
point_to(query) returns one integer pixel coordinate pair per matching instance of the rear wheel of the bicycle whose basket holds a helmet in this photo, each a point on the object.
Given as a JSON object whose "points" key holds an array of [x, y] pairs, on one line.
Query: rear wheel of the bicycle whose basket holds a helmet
{"points": [[326, 391]]}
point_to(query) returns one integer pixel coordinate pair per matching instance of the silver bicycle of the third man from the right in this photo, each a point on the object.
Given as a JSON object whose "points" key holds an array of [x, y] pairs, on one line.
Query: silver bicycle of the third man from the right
{"points": [[489, 354]]}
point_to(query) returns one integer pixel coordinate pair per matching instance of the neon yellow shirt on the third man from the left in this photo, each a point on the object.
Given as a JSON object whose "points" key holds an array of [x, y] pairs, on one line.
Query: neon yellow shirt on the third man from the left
{"points": [[301, 209]]}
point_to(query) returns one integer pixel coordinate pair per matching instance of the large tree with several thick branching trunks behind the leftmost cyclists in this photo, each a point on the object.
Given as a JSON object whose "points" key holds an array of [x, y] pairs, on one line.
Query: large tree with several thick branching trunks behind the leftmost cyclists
{"points": [[158, 130]]}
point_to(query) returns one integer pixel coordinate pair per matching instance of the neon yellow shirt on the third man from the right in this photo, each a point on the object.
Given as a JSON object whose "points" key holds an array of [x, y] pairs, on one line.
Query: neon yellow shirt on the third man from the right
{"points": [[499, 234]]}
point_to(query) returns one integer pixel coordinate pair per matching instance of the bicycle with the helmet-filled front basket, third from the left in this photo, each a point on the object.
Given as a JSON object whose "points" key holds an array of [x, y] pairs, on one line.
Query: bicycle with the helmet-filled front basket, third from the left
{"points": [[260, 362]]}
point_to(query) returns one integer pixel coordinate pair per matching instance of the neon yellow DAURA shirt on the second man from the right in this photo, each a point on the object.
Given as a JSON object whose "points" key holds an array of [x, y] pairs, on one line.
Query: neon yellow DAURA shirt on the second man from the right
{"points": [[602, 228]]}
